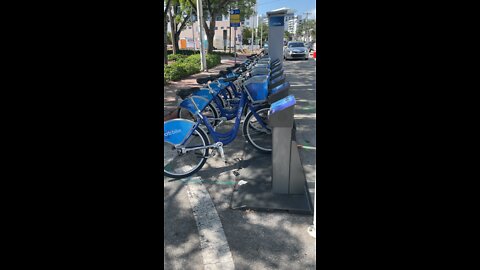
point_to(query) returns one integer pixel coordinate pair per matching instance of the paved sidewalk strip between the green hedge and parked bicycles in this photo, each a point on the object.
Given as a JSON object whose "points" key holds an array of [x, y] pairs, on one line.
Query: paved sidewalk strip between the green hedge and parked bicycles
{"points": [[169, 100]]}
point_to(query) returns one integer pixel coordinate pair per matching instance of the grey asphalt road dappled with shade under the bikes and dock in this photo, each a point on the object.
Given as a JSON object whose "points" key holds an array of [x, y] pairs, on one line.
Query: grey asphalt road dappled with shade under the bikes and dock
{"points": [[256, 240]]}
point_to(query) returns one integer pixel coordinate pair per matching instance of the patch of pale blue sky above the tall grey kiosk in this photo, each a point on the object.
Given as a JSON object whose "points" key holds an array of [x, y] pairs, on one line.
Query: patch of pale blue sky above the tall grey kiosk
{"points": [[300, 6]]}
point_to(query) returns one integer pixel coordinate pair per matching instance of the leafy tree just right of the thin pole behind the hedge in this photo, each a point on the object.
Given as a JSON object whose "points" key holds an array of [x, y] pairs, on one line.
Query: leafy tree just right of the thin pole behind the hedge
{"points": [[214, 8]]}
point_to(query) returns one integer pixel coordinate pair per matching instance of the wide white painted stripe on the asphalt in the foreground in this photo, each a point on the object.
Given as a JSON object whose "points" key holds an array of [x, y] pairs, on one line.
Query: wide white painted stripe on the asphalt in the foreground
{"points": [[213, 242]]}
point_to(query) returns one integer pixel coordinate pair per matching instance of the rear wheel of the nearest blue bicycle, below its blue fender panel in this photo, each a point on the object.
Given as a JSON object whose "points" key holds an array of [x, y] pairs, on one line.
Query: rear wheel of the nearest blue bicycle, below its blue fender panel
{"points": [[178, 165]]}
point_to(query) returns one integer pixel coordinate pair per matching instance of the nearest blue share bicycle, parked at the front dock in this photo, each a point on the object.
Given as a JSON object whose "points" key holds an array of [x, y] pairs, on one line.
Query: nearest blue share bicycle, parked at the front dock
{"points": [[187, 146]]}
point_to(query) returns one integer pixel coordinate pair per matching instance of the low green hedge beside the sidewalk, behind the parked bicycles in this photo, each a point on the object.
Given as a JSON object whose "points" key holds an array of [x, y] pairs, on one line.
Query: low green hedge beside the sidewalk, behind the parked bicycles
{"points": [[185, 66]]}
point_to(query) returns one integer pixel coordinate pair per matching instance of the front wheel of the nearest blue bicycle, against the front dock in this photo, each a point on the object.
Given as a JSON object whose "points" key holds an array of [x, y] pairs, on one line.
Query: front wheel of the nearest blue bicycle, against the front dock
{"points": [[258, 136]]}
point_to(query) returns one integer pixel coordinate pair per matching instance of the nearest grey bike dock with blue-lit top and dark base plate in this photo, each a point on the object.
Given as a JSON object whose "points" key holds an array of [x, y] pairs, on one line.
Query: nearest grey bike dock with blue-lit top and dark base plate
{"points": [[283, 185]]}
